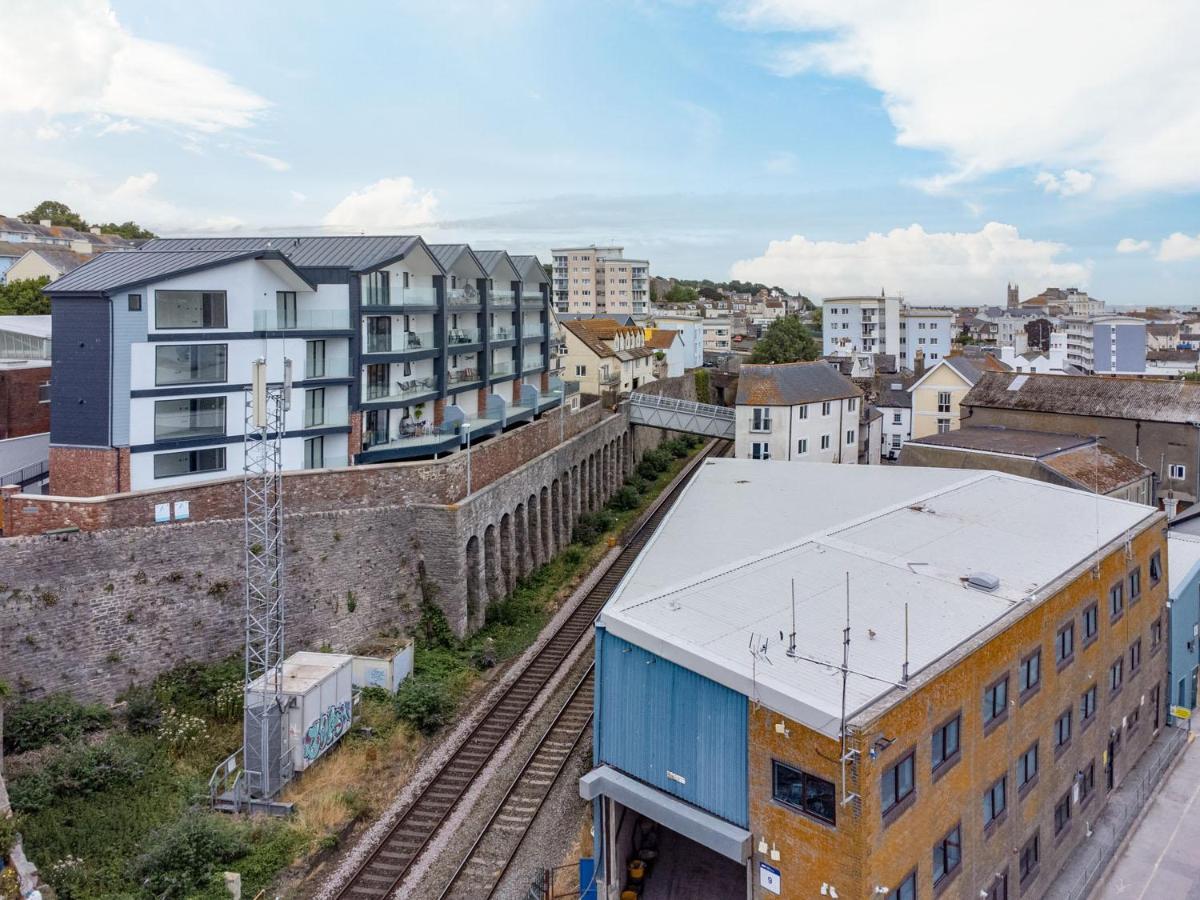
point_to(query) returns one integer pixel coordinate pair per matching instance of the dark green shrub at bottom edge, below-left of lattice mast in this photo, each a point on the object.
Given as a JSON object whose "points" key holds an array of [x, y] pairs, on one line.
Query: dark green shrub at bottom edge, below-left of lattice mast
{"points": [[187, 854]]}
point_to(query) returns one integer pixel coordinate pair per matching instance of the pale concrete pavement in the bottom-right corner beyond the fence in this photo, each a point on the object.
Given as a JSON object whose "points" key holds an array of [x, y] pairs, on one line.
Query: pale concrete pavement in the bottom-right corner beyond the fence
{"points": [[1161, 857]]}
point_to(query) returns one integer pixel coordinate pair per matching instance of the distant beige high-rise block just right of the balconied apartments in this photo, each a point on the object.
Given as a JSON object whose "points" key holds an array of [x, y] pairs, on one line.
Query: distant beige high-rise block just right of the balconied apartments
{"points": [[601, 280]]}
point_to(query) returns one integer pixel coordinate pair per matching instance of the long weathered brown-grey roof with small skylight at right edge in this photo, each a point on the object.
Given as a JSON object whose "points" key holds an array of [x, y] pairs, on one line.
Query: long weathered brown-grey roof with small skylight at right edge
{"points": [[1090, 395]]}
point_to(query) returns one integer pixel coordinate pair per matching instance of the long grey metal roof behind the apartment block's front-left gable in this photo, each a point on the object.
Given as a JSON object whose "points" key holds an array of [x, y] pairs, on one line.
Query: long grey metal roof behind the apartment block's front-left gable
{"points": [[353, 253]]}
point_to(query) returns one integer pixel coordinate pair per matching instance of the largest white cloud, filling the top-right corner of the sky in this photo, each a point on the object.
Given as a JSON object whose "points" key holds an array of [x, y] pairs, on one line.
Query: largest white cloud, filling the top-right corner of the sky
{"points": [[1112, 93]]}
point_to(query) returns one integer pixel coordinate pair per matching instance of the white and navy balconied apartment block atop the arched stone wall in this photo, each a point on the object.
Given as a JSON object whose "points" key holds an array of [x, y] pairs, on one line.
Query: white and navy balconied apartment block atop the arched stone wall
{"points": [[399, 350]]}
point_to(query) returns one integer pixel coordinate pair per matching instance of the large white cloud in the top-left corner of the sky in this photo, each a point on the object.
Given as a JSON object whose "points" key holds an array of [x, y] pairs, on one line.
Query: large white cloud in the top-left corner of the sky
{"points": [[75, 58]]}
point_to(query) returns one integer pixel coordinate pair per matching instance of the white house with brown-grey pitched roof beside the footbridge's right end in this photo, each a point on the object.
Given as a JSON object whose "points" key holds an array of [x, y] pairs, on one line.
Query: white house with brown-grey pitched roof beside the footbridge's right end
{"points": [[801, 412]]}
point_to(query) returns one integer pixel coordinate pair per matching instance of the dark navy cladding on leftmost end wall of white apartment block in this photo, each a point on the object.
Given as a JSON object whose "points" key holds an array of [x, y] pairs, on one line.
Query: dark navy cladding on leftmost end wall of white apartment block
{"points": [[81, 371]]}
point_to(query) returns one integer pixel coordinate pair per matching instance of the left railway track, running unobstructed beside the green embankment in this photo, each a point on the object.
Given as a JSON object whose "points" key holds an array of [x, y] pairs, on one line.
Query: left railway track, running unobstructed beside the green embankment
{"points": [[382, 872]]}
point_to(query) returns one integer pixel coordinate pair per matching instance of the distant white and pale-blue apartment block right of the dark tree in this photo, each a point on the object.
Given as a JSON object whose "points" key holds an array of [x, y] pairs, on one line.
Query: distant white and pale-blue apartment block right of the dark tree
{"points": [[886, 325]]}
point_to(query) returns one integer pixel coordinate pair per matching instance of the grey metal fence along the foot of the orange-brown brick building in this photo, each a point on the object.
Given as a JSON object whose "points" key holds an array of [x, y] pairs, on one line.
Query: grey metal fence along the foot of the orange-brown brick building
{"points": [[1084, 869]]}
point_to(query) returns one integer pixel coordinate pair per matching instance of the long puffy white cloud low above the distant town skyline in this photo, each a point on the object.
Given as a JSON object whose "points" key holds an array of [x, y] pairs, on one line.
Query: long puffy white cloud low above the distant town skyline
{"points": [[949, 267]]}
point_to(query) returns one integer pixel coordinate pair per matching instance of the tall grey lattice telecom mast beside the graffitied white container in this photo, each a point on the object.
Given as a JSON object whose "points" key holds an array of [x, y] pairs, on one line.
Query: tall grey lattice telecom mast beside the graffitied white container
{"points": [[268, 757]]}
